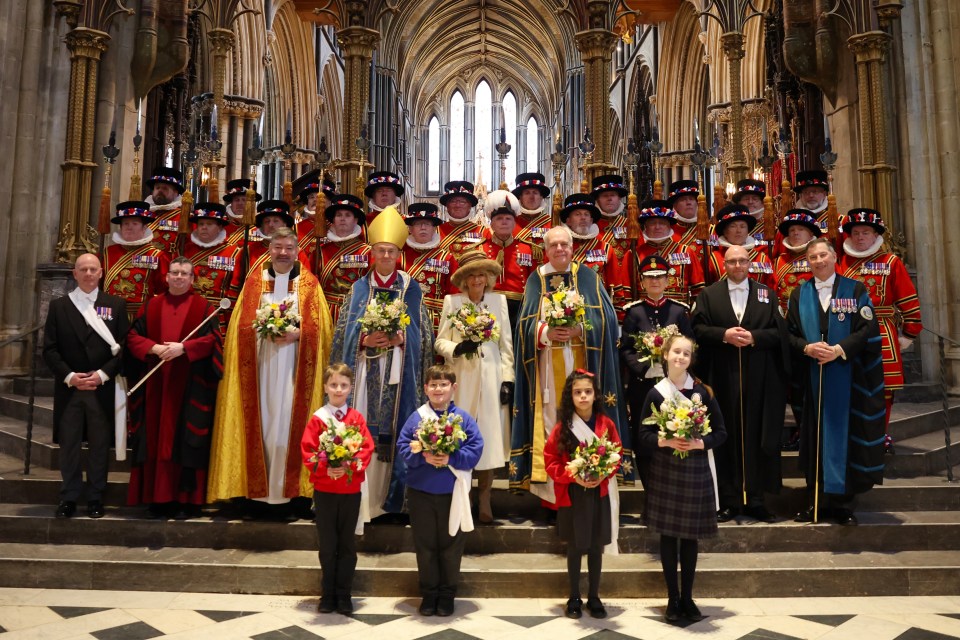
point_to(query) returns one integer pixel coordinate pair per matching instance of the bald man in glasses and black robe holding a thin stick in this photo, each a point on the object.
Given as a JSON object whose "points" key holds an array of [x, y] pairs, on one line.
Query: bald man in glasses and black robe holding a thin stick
{"points": [[742, 342]]}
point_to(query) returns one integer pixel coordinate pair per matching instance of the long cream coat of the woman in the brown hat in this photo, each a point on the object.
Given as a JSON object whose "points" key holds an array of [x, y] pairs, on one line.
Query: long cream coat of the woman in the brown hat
{"points": [[479, 378]]}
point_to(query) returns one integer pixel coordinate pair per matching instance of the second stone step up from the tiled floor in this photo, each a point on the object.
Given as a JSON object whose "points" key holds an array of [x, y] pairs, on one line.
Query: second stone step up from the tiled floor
{"points": [[878, 531]]}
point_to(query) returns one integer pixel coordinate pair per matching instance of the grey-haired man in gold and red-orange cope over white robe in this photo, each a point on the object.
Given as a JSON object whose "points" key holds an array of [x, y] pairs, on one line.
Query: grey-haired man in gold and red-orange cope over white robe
{"points": [[271, 386]]}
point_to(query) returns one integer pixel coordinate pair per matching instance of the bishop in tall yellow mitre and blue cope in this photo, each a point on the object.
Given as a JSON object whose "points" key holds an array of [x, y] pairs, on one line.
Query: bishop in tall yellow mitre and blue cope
{"points": [[389, 367]]}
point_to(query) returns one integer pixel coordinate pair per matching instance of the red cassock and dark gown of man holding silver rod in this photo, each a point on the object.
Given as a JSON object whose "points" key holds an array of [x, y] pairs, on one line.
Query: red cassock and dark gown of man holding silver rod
{"points": [[172, 413]]}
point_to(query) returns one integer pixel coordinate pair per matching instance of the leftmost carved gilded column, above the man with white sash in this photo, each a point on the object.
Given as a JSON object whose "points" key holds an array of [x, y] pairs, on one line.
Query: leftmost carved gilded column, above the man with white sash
{"points": [[76, 234]]}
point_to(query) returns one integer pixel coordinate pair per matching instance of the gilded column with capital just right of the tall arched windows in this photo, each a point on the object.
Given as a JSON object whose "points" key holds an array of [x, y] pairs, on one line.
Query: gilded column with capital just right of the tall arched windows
{"points": [[596, 49]]}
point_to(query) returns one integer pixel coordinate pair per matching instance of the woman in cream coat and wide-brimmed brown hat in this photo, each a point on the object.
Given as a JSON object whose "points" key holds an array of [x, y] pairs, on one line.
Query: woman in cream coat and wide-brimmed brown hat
{"points": [[486, 376]]}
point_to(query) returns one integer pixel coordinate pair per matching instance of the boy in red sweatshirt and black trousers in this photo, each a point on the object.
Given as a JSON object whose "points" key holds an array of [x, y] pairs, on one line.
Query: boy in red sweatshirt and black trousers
{"points": [[336, 494]]}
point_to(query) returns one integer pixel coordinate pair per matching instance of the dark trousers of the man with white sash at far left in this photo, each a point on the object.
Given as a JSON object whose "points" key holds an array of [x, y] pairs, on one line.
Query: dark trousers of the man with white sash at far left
{"points": [[83, 410]]}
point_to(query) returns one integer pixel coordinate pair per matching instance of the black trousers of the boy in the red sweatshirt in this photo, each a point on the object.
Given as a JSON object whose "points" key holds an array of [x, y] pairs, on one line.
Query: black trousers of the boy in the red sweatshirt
{"points": [[336, 521]]}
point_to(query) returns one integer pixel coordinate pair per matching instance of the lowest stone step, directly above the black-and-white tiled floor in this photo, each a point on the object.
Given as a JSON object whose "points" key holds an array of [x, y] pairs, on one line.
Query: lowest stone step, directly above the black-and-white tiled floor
{"points": [[536, 575]]}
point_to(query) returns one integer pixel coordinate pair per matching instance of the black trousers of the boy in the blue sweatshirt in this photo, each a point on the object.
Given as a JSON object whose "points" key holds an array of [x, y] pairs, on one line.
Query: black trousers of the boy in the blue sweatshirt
{"points": [[438, 553]]}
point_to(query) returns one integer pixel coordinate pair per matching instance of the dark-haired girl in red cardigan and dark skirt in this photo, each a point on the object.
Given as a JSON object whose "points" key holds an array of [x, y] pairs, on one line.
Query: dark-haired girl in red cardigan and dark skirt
{"points": [[584, 517]]}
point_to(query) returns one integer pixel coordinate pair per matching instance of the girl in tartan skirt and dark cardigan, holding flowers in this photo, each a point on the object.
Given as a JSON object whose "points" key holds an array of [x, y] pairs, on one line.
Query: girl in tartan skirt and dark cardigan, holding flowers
{"points": [[682, 501]]}
